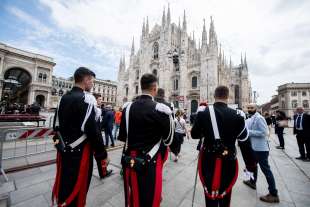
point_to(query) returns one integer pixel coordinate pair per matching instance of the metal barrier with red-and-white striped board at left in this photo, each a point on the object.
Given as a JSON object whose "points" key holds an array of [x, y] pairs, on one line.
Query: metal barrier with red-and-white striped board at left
{"points": [[22, 142]]}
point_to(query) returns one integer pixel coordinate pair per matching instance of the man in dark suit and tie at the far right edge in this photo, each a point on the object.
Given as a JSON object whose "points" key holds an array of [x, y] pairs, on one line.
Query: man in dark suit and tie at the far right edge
{"points": [[302, 131]]}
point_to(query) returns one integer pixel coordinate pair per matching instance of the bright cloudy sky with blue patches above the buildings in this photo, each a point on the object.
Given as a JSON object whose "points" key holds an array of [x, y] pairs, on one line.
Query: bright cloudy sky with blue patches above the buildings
{"points": [[275, 34]]}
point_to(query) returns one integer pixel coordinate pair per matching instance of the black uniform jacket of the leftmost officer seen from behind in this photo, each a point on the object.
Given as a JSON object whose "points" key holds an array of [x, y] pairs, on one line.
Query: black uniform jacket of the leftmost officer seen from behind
{"points": [[72, 111]]}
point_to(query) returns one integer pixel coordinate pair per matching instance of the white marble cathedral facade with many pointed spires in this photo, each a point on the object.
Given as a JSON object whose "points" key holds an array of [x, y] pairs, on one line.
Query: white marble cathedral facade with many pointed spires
{"points": [[189, 72]]}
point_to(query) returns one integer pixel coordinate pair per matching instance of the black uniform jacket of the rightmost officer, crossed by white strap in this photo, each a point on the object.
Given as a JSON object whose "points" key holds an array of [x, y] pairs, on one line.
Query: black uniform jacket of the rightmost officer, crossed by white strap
{"points": [[231, 126]]}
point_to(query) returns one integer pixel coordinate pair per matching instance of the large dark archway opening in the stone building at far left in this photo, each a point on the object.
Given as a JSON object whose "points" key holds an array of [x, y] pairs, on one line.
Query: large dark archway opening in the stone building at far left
{"points": [[16, 86]]}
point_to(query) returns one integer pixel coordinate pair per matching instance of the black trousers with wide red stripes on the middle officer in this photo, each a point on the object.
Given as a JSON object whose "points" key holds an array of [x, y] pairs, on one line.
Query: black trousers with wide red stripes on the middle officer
{"points": [[144, 188]]}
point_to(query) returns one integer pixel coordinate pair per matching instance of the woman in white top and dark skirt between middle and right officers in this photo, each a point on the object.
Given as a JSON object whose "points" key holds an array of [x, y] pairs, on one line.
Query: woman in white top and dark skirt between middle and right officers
{"points": [[179, 134]]}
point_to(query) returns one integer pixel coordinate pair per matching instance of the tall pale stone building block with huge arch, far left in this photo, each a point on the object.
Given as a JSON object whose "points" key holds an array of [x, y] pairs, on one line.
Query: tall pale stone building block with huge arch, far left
{"points": [[25, 77]]}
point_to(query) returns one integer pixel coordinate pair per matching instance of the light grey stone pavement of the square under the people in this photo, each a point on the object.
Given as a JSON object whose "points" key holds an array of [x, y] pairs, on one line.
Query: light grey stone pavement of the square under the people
{"points": [[292, 179]]}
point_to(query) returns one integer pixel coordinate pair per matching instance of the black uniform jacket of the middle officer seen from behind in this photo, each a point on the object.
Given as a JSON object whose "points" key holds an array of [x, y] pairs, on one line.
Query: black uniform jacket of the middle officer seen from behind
{"points": [[146, 124]]}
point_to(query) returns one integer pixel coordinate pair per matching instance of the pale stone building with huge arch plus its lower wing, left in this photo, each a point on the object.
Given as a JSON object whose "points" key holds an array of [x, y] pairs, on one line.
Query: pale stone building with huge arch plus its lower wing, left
{"points": [[26, 78]]}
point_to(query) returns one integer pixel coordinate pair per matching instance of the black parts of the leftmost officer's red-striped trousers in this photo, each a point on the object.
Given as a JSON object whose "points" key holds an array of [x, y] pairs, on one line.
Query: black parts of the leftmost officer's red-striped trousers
{"points": [[70, 169]]}
